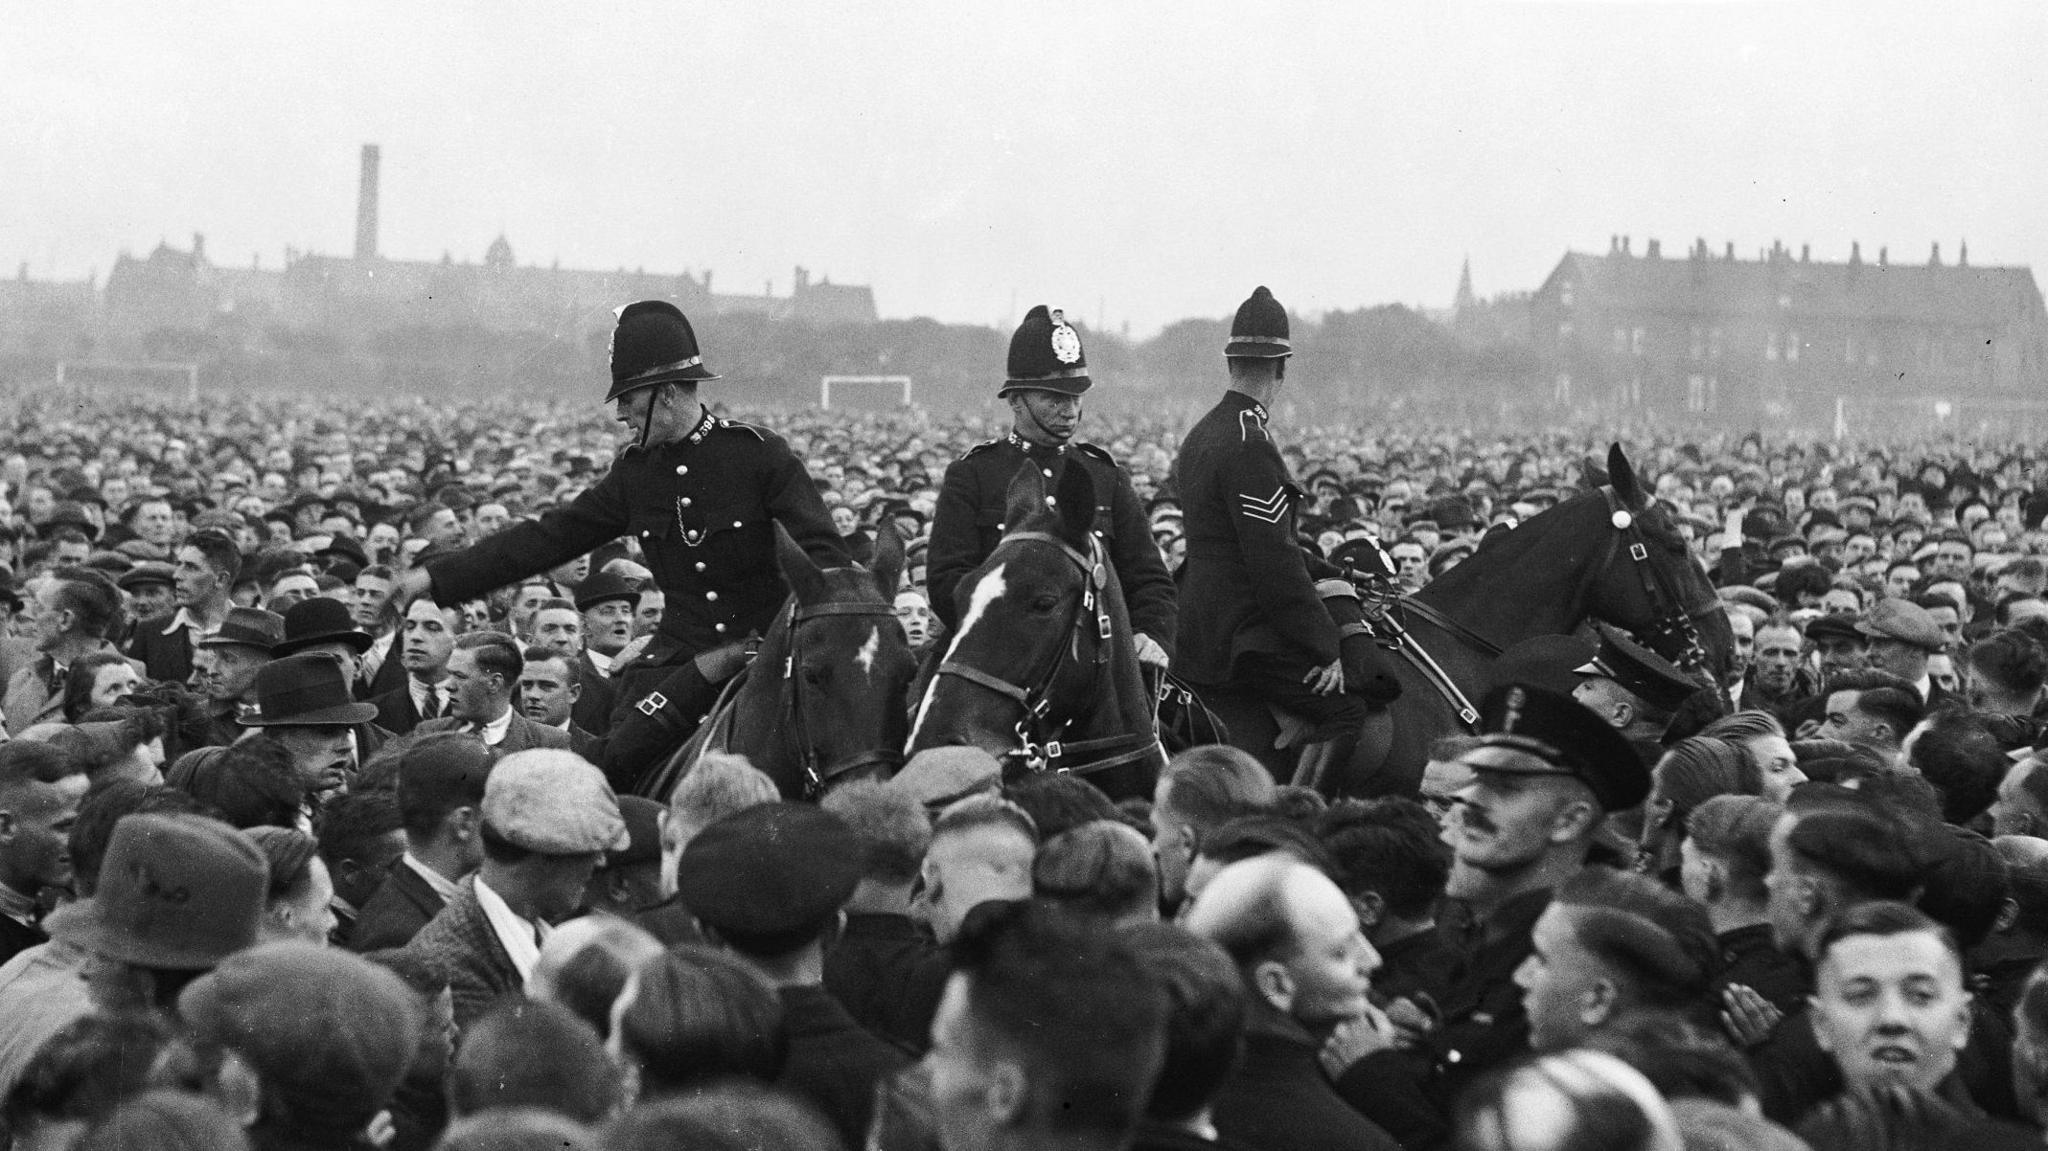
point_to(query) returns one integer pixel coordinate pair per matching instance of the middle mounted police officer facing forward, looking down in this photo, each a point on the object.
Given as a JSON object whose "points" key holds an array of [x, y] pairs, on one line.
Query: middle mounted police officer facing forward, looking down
{"points": [[1048, 378]]}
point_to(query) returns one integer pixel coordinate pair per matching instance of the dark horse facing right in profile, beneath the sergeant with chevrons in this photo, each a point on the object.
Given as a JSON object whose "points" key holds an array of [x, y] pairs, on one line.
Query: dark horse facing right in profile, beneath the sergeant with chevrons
{"points": [[1607, 554]]}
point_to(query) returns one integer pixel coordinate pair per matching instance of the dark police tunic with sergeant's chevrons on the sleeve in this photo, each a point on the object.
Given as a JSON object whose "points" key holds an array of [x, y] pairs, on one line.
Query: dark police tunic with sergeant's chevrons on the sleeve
{"points": [[1246, 585]]}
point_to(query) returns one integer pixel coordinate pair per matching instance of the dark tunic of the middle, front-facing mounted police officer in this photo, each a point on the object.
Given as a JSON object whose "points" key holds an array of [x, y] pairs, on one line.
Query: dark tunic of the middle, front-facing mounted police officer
{"points": [[970, 523]]}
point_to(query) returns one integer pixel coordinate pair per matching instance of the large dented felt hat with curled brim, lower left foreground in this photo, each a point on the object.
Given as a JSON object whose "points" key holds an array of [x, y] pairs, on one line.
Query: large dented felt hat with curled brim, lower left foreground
{"points": [[177, 892]]}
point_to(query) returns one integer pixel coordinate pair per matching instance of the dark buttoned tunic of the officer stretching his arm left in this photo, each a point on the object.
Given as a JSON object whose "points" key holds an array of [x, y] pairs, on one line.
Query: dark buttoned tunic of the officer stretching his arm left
{"points": [[703, 511]]}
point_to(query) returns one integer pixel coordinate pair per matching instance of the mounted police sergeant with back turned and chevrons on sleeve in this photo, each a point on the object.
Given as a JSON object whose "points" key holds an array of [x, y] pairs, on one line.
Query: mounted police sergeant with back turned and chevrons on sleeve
{"points": [[1256, 628]]}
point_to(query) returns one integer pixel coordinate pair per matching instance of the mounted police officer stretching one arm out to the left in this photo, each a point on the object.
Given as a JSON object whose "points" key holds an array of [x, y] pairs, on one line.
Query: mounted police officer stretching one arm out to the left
{"points": [[697, 493]]}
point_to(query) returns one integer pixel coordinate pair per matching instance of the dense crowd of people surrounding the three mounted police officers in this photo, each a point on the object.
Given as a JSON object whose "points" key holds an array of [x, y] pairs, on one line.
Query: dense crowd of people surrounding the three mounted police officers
{"points": [[296, 857]]}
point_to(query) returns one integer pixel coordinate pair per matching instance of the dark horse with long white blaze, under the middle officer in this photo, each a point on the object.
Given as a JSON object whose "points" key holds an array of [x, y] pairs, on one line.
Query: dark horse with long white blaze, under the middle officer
{"points": [[1043, 673]]}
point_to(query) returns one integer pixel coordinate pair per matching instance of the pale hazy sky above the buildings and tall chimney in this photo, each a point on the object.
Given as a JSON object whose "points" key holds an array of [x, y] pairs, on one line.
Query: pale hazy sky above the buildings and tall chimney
{"points": [[1134, 163]]}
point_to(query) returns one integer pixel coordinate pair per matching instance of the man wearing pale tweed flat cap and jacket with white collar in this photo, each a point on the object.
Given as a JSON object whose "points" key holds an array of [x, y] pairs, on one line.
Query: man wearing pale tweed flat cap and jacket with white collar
{"points": [[548, 820]]}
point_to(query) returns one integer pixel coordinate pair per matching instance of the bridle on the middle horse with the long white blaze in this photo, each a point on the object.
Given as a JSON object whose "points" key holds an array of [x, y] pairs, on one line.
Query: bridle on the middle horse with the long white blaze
{"points": [[1039, 742]]}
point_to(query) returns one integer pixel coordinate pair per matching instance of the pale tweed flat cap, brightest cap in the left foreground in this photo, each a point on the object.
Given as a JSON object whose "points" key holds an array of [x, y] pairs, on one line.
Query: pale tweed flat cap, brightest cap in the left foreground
{"points": [[556, 804]]}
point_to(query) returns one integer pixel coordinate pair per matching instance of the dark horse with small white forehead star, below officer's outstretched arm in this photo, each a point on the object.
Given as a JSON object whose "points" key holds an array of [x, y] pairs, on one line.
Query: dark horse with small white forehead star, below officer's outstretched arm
{"points": [[822, 704]]}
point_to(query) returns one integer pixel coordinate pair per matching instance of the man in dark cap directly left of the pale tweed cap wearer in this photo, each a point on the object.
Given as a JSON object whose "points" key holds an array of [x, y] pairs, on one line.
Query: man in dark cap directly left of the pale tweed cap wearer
{"points": [[439, 806]]}
